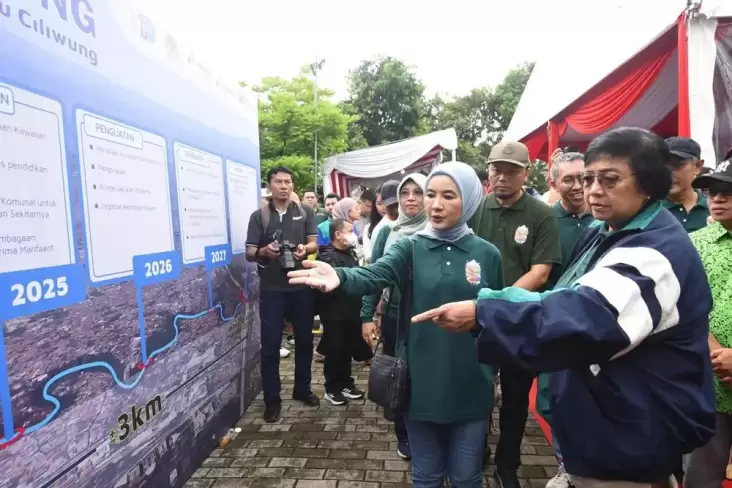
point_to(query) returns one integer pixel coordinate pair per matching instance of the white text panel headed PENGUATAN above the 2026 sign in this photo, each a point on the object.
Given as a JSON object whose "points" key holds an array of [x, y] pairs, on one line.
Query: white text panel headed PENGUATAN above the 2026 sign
{"points": [[126, 191]]}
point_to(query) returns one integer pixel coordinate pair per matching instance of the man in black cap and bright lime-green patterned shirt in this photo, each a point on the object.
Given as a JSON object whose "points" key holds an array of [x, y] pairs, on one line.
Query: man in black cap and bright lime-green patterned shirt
{"points": [[707, 465]]}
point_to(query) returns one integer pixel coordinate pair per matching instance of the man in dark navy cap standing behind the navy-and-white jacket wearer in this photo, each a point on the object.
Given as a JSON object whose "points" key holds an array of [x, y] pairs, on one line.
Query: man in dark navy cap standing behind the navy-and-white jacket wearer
{"points": [[686, 204]]}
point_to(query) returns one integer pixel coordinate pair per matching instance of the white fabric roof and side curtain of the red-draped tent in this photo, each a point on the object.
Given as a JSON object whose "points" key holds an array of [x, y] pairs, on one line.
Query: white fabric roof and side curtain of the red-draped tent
{"points": [[601, 42]]}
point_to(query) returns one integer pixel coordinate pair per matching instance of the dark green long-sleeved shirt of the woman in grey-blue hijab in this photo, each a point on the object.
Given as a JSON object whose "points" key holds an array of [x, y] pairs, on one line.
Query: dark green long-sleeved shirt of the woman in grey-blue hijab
{"points": [[448, 384]]}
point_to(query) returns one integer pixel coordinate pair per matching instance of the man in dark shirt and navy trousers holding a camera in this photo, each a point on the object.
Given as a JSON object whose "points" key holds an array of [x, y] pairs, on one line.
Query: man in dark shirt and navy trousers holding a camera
{"points": [[279, 237]]}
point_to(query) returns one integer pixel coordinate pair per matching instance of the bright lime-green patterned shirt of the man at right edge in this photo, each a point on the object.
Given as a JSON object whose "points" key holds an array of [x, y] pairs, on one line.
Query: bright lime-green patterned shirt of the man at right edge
{"points": [[714, 244]]}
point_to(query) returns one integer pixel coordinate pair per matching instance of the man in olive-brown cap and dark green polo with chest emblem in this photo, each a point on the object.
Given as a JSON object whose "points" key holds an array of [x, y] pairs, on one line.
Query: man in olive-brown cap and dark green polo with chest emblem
{"points": [[525, 231]]}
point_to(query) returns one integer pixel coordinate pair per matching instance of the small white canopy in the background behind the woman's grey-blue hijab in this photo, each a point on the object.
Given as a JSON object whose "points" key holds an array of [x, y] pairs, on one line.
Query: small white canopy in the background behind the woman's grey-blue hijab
{"points": [[372, 165]]}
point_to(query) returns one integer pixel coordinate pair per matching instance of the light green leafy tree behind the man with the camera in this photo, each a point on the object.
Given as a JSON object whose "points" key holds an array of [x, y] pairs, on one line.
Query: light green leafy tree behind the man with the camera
{"points": [[288, 120]]}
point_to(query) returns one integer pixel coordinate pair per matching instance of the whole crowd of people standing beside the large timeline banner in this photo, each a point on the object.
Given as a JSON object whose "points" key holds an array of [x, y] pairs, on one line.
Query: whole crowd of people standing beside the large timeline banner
{"points": [[614, 289]]}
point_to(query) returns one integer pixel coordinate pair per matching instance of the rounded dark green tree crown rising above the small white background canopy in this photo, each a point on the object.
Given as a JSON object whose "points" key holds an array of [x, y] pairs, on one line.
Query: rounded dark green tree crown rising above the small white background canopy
{"points": [[388, 99]]}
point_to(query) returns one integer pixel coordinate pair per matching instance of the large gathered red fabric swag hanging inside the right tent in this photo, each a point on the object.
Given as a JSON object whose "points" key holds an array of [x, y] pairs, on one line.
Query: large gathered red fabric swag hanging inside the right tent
{"points": [[609, 103]]}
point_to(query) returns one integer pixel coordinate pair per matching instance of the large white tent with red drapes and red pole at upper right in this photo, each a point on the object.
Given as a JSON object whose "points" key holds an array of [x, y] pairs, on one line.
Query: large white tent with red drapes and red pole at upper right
{"points": [[639, 77]]}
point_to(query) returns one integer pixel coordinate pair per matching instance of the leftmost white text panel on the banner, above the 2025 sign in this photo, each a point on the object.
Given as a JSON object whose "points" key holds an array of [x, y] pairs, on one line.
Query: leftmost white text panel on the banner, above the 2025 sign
{"points": [[36, 229]]}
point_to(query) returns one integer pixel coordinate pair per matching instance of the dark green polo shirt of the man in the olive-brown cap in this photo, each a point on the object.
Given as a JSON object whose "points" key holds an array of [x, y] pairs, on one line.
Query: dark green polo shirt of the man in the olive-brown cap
{"points": [[525, 233]]}
